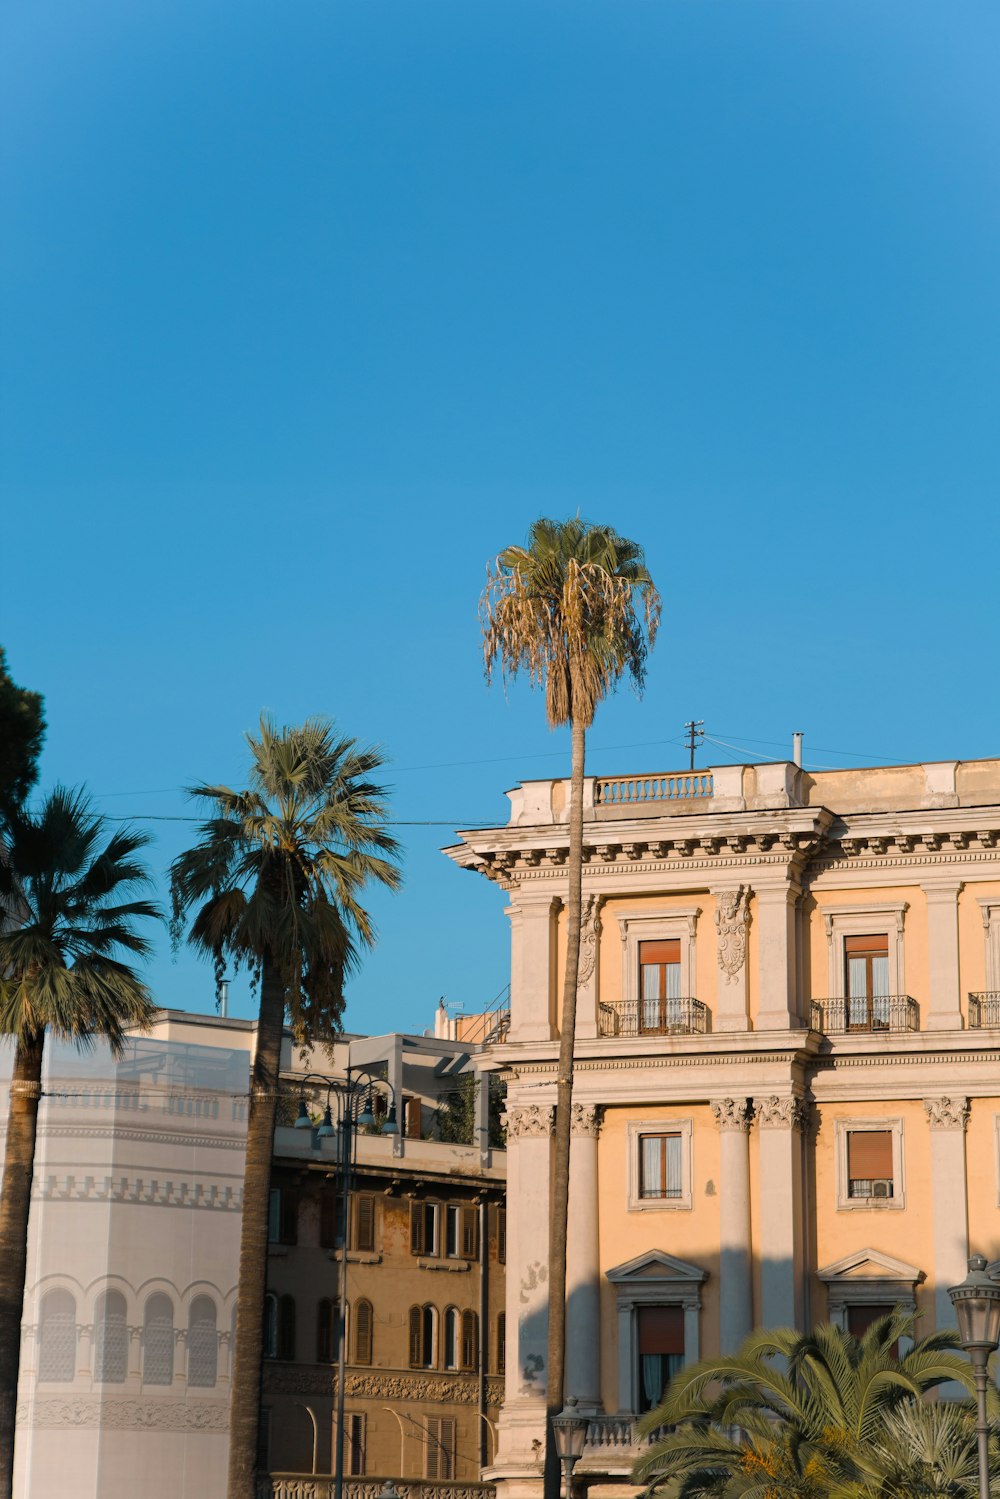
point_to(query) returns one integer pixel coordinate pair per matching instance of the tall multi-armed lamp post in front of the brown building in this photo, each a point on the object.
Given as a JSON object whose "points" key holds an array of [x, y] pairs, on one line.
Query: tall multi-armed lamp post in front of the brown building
{"points": [[349, 1092]]}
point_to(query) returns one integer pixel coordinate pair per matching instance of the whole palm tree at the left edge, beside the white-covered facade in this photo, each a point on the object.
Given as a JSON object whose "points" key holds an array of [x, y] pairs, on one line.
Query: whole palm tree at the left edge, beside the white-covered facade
{"points": [[73, 900]]}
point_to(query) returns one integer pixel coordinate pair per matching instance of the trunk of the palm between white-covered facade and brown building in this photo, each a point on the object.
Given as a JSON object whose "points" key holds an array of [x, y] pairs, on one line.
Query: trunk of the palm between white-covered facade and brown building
{"points": [[245, 1398]]}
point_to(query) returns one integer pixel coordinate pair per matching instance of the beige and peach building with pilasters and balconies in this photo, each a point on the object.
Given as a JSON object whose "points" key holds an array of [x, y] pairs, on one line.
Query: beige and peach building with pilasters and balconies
{"points": [[788, 1086]]}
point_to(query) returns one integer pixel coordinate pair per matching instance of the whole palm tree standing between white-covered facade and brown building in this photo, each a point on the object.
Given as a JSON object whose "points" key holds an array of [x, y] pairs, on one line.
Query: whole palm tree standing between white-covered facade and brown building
{"points": [[274, 887]]}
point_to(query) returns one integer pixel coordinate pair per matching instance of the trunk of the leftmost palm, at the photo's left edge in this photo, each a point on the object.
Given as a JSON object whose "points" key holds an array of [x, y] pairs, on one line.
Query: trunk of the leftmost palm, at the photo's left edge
{"points": [[19, 1168]]}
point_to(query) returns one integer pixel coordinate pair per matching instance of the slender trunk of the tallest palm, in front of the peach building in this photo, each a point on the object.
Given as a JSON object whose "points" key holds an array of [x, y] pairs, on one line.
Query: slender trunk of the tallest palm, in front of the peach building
{"points": [[560, 1198]]}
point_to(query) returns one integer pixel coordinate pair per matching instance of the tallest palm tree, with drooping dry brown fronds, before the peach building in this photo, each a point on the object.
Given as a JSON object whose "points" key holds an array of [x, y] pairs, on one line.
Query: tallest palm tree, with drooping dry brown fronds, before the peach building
{"points": [[564, 609]]}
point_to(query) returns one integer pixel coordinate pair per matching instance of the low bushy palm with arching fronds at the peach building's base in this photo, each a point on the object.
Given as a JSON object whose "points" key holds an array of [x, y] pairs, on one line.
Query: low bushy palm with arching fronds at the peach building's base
{"points": [[794, 1416]]}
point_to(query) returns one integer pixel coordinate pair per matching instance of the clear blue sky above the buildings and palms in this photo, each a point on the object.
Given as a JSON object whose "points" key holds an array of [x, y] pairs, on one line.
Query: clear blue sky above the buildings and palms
{"points": [[311, 310]]}
